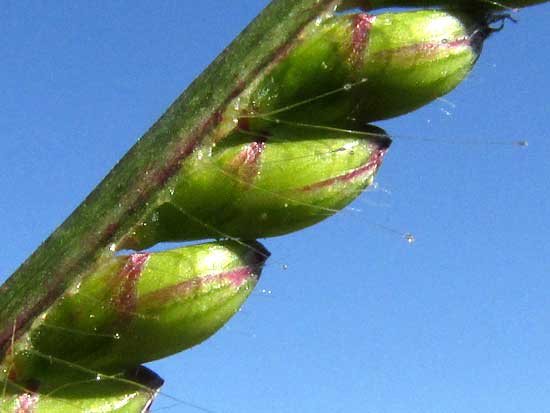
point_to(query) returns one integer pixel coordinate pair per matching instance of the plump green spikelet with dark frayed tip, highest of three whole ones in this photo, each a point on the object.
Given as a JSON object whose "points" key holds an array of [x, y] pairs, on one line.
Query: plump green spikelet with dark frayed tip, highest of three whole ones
{"points": [[368, 68]]}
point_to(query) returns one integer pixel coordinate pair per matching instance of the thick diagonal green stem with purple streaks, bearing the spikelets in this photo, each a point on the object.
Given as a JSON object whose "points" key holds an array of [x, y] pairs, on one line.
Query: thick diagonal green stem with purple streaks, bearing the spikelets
{"points": [[128, 192]]}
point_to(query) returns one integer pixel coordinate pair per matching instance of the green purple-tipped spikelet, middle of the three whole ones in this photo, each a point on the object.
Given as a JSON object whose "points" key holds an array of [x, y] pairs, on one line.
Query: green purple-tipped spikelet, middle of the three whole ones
{"points": [[278, 183]]}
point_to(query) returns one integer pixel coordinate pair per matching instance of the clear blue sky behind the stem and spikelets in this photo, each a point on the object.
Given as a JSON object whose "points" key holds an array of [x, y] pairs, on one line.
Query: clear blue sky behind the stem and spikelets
{"points": [[360, 321]]}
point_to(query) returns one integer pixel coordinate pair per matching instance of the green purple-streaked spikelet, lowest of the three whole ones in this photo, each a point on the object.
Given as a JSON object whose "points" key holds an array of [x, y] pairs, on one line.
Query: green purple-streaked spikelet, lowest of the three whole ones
{"points": [[143, 307]]}
